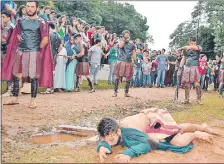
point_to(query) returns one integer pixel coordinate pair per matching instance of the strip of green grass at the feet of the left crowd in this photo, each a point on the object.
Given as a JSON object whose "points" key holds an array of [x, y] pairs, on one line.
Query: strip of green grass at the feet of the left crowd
{"points": [[102, 84]]}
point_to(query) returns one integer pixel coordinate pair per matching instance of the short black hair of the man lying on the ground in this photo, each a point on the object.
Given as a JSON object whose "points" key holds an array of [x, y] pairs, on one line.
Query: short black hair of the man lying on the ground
{"points": [[106, 126]]}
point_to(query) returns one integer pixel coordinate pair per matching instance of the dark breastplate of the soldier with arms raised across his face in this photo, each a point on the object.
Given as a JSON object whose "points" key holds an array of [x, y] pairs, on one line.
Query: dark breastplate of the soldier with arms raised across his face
{"points": [[192, 57]]}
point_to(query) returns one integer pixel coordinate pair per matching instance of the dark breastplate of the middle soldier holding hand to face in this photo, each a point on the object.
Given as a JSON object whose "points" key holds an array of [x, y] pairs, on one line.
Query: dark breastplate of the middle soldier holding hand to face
{"points": [[126, 52]]}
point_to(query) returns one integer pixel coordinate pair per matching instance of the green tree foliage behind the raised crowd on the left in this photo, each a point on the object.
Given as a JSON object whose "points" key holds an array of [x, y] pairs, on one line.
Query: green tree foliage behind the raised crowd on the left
{"points": [[116, 17]]}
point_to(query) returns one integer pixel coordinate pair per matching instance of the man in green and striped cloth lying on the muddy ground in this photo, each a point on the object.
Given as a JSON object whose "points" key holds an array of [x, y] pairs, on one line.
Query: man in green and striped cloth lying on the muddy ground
{"points": [[139, 134]]}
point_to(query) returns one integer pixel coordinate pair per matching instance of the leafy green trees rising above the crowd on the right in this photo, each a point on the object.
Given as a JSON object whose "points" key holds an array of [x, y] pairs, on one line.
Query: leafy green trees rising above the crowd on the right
{"points": [[207, 24]]}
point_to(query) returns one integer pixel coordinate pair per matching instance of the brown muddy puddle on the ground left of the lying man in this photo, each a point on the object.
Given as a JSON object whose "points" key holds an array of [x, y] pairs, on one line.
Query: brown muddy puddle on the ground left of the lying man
{"points": [[58, 137]]}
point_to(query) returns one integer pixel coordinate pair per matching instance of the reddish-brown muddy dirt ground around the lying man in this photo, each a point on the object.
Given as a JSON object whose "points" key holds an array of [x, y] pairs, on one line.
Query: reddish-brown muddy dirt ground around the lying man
{"points": [[19, 123]]}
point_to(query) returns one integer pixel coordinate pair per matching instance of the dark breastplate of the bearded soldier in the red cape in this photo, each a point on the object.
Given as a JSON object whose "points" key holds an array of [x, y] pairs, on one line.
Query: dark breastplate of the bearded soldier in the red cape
{"points": [[30, 35]]}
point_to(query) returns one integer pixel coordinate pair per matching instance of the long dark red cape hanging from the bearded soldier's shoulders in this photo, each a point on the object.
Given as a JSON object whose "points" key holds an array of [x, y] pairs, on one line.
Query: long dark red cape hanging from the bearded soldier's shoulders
{"points": [[46, 75]]}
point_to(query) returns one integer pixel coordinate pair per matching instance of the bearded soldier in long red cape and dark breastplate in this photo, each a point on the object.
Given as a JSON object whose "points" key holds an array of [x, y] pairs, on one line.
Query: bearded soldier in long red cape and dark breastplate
{"points": [[29, 55]]}
